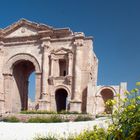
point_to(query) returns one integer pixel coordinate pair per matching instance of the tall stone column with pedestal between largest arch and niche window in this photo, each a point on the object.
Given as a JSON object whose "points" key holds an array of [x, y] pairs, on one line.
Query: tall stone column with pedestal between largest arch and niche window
{"points": [[45, 96]]}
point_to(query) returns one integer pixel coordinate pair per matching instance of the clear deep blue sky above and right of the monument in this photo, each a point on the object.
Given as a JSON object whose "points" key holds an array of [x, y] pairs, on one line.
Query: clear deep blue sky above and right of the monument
{"points": [[114, 25]]}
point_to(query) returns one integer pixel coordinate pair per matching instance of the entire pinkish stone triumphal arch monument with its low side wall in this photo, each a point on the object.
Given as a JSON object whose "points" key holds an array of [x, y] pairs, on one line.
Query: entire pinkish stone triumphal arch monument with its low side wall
{"points": [[65, 67]]}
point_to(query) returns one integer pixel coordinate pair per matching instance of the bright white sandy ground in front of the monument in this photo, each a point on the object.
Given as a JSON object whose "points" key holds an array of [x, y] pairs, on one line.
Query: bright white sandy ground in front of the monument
{"points": [[28, 131]]}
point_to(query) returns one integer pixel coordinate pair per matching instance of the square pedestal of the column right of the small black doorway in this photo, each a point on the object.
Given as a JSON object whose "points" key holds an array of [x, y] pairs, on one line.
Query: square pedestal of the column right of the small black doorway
{"points": [[75, 106]]}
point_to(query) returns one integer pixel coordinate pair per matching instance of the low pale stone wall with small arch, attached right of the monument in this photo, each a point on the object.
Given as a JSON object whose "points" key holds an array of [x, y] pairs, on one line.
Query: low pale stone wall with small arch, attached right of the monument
{"points": [[96, 101]]}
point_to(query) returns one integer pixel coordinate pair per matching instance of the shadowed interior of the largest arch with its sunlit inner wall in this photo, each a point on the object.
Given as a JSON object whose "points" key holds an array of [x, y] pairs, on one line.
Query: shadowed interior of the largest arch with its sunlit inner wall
{"points": [[21, 72]]}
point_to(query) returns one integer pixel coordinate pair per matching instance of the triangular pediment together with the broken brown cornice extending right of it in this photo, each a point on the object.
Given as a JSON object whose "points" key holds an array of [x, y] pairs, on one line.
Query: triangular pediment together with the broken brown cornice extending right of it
{"points": [[25, 31]]}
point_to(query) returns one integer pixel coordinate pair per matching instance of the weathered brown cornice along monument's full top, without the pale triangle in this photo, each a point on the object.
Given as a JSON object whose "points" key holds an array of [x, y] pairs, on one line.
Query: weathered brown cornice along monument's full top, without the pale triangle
{"points": [[42, 32]]}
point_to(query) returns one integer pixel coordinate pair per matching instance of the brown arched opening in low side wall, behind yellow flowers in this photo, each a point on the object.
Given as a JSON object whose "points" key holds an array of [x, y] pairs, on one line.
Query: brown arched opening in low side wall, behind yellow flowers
{"points": [[107, 94]]}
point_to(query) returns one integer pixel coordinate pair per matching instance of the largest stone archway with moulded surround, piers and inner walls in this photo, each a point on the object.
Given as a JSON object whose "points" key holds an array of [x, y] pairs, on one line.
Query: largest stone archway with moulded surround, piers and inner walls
{"points": [[16, 74]]}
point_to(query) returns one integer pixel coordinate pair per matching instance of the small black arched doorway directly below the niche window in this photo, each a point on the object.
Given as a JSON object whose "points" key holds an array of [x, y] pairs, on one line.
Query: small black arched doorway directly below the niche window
{"points": [[61, 99]]}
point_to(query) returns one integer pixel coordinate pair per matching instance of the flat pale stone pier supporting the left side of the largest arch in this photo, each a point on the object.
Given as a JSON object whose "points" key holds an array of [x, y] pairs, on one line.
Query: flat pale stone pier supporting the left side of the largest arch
{"points": [[7, 92]]}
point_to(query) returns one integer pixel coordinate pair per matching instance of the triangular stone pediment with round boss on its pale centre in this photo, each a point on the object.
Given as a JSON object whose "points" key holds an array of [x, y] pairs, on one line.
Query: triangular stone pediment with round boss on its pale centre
{"points": [[24, 28]]}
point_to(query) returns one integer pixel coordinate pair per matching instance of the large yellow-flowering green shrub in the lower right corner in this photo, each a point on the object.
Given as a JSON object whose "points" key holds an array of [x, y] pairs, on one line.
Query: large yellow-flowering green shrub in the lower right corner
{"points": [[126, 116]]}
